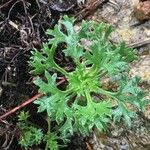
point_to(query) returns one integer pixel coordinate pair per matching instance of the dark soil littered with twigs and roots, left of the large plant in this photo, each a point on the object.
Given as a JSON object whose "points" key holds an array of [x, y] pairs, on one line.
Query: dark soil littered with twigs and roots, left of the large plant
{"points": [[22, 28]]}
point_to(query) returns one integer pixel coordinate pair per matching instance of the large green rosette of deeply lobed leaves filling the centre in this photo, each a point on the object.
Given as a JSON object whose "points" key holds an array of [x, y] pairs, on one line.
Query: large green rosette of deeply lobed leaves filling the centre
{"points": [[85, 103]]}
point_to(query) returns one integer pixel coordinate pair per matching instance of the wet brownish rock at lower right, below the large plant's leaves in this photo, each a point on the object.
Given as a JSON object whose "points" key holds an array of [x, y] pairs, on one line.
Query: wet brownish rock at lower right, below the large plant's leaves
{"points": [[121, 138]]}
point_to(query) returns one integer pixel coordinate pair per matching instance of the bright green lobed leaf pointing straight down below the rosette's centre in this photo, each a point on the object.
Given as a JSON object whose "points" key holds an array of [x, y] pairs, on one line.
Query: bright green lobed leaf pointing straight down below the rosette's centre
{"points": [[97, 114]]}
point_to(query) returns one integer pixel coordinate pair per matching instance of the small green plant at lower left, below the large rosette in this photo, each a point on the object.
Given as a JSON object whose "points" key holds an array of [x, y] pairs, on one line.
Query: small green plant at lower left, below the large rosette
{"points": [[31, 135]]}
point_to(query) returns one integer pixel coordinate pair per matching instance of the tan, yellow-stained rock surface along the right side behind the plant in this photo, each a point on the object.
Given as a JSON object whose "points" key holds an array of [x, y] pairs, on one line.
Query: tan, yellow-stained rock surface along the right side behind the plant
{"points": [[129, 29]]}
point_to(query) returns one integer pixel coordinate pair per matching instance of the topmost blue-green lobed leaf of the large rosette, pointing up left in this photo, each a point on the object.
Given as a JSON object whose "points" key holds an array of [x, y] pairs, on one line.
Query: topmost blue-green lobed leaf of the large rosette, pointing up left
{"points": [[73, 48]]}
